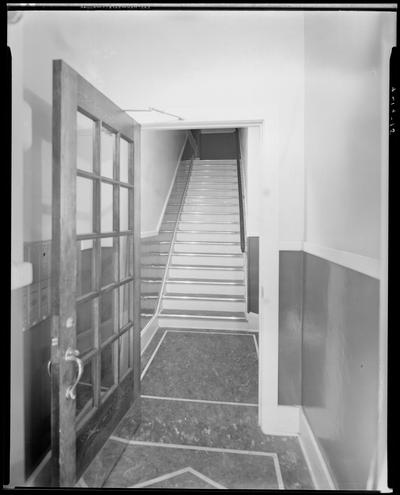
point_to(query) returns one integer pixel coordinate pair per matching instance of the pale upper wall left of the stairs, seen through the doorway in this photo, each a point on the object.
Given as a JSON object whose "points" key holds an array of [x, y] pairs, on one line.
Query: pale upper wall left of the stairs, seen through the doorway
{"points": [[160, 155]]}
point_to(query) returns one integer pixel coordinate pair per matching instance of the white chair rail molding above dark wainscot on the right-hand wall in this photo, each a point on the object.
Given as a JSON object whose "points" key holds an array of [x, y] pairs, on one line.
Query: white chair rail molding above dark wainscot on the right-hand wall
{"points": [[363, 264]]}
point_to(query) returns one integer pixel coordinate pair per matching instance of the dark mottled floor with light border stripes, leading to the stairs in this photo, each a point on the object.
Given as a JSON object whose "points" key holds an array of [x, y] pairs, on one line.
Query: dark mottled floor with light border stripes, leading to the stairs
{"points": [[199, 422]]}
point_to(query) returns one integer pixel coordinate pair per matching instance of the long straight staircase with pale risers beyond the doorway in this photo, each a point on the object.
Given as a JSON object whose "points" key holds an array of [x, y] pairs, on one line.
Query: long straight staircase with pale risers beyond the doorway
{"points": [[205, 284]]}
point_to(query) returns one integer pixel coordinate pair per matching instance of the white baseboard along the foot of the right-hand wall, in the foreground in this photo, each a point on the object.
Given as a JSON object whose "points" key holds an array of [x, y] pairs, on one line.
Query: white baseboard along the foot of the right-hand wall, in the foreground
{"points": [[320, 473]]}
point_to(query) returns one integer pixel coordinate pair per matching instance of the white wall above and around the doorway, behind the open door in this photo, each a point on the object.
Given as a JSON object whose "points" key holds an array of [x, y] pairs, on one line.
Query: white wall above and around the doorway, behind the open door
{"points": [[195, 64]]}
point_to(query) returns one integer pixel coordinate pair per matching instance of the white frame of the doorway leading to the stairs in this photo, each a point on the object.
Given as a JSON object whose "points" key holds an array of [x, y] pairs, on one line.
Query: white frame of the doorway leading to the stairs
{"points": [[273, 418]]}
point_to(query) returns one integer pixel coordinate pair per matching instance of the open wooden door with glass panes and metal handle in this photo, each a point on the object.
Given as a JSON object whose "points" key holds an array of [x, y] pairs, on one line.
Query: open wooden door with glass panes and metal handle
{"points": [[95, 271]]}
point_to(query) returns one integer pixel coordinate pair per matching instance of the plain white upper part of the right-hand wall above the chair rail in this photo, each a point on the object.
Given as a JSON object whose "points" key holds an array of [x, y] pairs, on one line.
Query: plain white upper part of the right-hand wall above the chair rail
{"points": [[342, 131]]}
